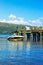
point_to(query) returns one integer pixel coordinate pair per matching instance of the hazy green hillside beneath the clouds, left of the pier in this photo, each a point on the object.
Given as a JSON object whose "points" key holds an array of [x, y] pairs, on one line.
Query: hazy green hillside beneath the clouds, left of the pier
{"points": [[9, 28]]}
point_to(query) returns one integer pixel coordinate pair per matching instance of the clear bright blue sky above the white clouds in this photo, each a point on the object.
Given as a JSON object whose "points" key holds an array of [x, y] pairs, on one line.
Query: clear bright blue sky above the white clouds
{"points": [[30, 10]]}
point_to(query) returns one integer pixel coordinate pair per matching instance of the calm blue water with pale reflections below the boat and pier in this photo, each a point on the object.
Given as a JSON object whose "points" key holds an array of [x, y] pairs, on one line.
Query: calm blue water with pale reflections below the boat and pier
{"points": [[20, 53]]}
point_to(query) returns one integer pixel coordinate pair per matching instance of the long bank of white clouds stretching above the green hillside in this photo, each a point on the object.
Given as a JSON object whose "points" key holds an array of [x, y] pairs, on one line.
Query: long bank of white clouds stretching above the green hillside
{"points": [[20, 20]]}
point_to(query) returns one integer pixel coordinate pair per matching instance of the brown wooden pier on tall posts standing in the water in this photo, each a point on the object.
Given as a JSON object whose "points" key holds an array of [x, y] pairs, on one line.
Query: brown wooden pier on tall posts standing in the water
{"points": [[32, 35]]}
